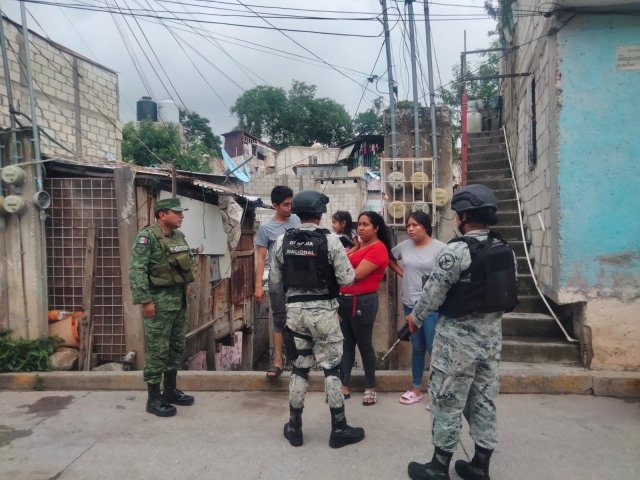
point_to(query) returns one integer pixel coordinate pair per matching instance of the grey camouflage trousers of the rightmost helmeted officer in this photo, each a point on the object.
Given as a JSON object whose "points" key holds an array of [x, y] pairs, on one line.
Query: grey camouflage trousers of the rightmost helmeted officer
{"points": [[463, 381]]}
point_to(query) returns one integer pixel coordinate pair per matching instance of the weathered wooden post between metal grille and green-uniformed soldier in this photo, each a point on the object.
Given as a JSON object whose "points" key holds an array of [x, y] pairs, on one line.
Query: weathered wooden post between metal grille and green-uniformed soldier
{"points": [[127, 230]]}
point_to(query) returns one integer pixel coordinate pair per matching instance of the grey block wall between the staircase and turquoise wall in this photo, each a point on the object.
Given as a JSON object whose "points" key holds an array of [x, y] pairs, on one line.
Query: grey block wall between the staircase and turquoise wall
{"points": [[535, 179]]}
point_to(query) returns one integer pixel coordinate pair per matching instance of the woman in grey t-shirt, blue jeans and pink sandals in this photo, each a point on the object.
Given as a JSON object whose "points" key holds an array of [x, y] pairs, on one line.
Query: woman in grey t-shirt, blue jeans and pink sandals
{"points": [[418, 255]]}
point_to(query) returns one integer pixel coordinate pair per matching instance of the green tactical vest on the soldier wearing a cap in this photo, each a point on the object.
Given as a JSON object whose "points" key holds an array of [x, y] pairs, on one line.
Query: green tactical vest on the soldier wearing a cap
{"points": [[174, 268]]}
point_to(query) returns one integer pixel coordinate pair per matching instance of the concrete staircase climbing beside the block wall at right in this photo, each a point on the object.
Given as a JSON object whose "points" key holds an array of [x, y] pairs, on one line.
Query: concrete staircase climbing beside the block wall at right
{"points": [[530, 334]]}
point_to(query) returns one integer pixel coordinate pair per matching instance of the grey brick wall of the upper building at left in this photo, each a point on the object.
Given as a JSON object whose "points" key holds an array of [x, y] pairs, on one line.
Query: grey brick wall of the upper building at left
{"points": [[83, 116]]}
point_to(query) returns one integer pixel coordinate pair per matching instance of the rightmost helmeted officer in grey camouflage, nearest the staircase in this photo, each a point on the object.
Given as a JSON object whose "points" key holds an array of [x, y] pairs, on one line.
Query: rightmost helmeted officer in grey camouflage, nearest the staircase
{"points": [[473, 284]]}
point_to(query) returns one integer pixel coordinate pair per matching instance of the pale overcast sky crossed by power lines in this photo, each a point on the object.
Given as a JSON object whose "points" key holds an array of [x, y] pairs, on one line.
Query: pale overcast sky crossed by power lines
{"points": [[98, 38]]}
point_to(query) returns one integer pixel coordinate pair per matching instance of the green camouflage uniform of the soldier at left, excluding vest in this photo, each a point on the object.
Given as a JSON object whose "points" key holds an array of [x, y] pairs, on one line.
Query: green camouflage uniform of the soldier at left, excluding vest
{"points": [[164, 334]]}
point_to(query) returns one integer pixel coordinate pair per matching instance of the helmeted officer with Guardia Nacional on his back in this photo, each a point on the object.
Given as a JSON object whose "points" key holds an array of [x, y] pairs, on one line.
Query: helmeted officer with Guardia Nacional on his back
{"points": [[312, 264]]}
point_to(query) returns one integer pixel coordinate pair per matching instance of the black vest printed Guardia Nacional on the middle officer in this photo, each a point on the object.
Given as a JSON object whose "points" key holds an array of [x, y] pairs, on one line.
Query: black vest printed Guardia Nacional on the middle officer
{"points": [[306, 263]]}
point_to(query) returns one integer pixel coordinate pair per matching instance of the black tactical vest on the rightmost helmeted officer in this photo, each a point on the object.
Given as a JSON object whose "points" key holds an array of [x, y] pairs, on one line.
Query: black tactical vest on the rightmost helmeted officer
{"points": [[491, 285]]}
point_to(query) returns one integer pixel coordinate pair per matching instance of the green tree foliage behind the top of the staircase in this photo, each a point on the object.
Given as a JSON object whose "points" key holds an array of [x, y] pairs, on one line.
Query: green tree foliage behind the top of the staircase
{"points": [[476, 89]]}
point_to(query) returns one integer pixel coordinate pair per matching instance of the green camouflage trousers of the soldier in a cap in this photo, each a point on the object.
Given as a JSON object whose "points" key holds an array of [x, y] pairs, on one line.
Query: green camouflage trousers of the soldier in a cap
{"points": [[165, 344]]}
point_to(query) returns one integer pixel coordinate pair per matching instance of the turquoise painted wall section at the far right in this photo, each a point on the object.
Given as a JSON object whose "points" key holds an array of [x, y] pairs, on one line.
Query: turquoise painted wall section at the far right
{"points": [[599, 157]]}
